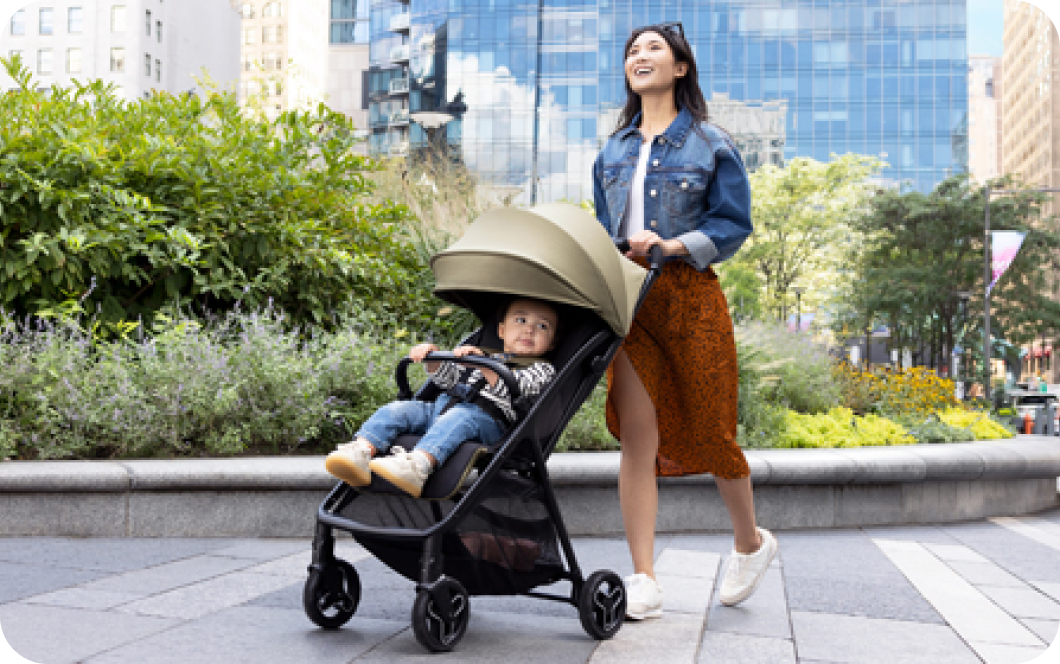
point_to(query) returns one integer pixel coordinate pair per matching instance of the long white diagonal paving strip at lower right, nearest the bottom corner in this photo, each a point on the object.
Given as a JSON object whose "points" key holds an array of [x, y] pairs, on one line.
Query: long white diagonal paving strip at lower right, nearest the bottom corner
{"points": [[968, 611]]}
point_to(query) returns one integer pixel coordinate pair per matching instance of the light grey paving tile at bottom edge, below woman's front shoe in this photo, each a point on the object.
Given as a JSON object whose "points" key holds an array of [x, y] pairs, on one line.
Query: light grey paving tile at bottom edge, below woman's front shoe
{"points": [[672, 639]]}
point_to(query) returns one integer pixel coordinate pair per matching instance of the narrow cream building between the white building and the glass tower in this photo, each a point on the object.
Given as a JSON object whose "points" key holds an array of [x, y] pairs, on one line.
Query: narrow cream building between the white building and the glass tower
{"points": [[285, 55]]}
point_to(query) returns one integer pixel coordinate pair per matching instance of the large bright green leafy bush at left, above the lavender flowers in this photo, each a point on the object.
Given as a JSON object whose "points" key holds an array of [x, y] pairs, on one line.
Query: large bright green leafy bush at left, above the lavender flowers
{"points": [[175, 199]]}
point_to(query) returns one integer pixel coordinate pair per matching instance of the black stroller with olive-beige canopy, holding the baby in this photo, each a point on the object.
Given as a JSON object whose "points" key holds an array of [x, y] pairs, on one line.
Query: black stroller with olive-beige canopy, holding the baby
{"points": [[488, 522]]}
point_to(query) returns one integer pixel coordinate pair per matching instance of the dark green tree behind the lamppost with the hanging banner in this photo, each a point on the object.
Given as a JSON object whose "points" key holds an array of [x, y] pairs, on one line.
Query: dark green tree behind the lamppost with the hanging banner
{"points": [[921, 251]]}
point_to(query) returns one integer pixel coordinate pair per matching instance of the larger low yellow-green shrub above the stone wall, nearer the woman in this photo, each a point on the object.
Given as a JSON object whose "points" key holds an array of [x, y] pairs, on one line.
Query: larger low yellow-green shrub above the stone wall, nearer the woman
{"points": [[840, 428]]}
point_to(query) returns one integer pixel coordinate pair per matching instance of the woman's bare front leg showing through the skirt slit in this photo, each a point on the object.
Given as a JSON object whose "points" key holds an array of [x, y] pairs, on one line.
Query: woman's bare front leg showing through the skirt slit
{"points": [[638, 488]]}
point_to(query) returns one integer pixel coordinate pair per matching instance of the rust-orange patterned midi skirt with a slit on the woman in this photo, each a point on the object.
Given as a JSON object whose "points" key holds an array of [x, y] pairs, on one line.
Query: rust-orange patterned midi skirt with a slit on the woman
{"points": [[683, 348]]}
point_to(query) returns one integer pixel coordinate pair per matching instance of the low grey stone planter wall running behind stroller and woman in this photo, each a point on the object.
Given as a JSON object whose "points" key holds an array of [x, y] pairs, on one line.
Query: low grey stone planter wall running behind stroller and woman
{"points": [[278, 497]]}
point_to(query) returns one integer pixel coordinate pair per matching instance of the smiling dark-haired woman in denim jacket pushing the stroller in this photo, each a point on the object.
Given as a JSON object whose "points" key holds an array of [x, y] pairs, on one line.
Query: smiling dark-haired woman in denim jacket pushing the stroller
{"points": [[668, 178]]}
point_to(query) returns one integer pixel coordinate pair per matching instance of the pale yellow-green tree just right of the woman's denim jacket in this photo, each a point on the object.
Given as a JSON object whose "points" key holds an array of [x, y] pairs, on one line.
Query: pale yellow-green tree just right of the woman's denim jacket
{"points": [[802, 214]]}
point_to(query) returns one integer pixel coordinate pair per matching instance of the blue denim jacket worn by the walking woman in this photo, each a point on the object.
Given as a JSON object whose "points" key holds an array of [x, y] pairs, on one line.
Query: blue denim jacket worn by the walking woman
{"points": [[696, 189]]}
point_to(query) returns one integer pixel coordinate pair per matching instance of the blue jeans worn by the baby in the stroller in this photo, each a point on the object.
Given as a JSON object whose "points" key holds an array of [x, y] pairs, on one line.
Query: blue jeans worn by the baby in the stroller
{"points": [[443, 434]]}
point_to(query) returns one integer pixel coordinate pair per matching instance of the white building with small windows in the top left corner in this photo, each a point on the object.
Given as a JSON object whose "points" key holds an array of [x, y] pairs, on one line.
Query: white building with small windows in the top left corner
{"points": [[137, 45]]}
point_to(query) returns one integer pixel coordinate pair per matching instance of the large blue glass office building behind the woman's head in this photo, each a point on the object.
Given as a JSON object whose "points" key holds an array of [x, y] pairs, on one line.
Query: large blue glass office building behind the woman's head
{"points": [[536, 88]]}
